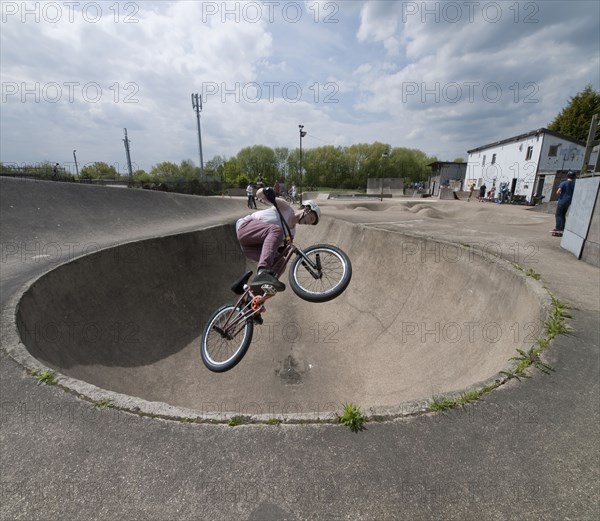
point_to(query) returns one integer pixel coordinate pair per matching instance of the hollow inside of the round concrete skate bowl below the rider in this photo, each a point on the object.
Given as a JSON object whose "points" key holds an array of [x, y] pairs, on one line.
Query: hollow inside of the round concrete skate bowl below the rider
{"points": [[420, 318]]}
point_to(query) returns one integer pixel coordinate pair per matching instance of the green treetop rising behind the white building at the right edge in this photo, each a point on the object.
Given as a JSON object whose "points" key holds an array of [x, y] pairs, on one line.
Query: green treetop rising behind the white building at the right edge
{"points": [[574, 120]]}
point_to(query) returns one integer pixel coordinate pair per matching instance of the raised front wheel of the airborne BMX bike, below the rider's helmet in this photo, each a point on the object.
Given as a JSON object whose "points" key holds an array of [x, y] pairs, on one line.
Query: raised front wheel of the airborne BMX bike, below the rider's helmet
{"points": [[322, 274]]}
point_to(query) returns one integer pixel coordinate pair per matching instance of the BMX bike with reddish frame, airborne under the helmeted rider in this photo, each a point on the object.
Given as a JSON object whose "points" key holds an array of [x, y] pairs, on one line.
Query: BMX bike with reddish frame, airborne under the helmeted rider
{"points": [[318, 273]]}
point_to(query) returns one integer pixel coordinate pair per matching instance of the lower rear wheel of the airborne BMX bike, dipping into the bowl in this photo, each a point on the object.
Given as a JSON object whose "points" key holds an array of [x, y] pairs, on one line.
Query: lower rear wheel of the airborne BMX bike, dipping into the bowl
{"points": [[225, 339]]}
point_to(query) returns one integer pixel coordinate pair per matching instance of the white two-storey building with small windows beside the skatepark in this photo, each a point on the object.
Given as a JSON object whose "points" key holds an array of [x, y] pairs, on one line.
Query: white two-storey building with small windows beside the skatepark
{"points": [[530, 164]]}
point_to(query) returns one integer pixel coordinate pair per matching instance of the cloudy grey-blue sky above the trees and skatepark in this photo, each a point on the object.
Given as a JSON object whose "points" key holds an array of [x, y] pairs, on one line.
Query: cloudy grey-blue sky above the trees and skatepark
{"points": [[440, 76]]}
